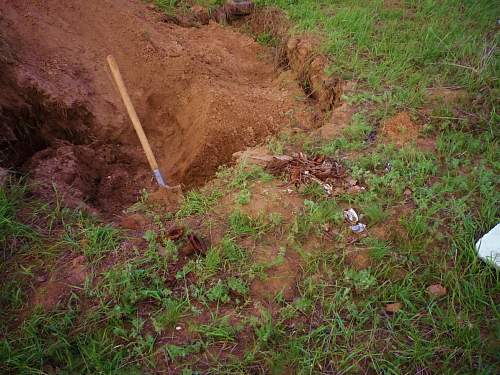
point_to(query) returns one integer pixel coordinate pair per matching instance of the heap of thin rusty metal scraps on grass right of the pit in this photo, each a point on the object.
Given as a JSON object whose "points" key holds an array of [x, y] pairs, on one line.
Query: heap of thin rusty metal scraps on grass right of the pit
{"points": [[301, 169]]}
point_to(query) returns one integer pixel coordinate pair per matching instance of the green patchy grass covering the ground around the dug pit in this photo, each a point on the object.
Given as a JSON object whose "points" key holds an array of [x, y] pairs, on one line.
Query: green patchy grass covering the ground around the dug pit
{"points": [[123, 318]]}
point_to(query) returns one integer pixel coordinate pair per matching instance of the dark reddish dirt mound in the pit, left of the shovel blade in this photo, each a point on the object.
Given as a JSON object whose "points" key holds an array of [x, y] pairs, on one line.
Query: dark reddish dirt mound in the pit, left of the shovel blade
{"points": [[101, 177]]}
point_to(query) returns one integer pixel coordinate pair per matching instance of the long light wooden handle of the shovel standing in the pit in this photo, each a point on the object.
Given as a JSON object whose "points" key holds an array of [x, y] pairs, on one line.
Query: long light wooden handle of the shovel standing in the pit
{"points": [[115, 72]]}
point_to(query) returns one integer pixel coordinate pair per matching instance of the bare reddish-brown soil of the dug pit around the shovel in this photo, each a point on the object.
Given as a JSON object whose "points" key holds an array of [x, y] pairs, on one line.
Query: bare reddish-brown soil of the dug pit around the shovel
{"points": [[202, 94]]}
